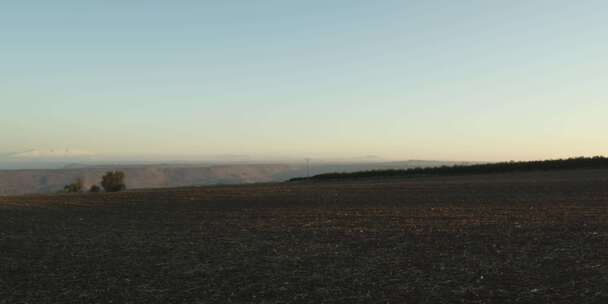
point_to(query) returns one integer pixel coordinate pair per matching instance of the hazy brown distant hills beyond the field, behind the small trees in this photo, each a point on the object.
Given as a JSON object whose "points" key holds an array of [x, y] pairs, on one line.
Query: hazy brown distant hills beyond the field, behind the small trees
{"points": [[24, 181]]}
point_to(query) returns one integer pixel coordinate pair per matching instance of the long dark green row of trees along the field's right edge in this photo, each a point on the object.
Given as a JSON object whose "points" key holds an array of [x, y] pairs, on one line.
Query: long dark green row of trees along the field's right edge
{"points": [[597, 162]]}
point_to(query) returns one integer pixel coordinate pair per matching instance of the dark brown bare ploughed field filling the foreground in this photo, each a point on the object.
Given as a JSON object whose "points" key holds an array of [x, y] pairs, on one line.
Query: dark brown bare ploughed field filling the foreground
{"points": [[516, 238]]}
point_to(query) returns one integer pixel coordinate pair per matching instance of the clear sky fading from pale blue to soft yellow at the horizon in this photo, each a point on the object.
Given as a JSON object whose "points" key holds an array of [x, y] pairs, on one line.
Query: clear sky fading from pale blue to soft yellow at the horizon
{"points": [[465, 80]]}
